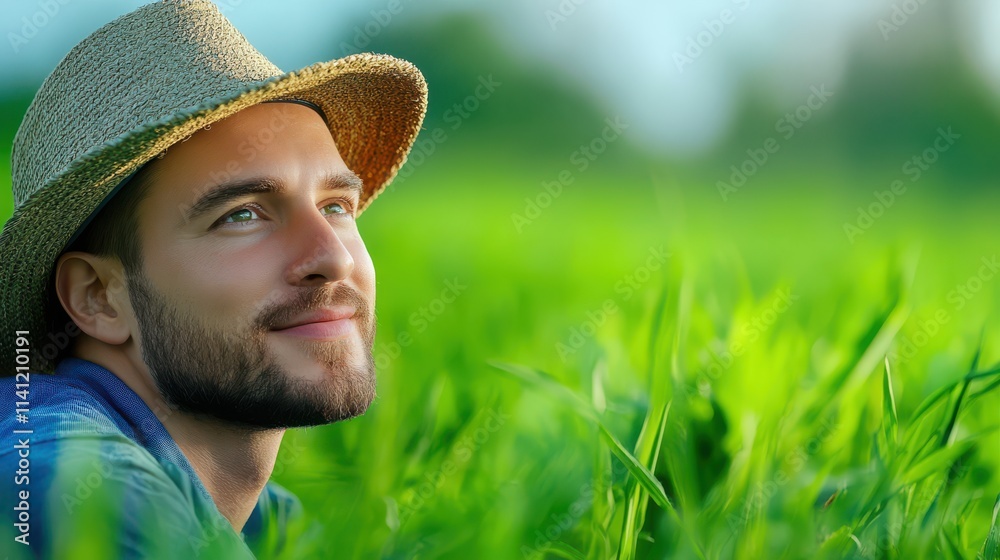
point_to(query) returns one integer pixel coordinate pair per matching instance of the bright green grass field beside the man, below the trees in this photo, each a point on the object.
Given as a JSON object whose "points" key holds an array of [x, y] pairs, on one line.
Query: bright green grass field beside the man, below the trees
{"points": [[827, 436]]}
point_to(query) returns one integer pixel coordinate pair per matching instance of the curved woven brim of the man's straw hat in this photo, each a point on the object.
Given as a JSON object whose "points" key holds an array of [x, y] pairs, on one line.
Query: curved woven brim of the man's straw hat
{"points": [[375, 105]]}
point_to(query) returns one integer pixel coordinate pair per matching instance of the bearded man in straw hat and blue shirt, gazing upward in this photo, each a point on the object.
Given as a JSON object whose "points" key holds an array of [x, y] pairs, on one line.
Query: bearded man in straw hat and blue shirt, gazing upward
{"points": [[183, 279]]}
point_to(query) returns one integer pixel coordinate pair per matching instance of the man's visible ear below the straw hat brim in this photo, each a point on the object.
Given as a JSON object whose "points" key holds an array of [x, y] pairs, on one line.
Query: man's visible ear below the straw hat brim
{"points": [[92, 291]]}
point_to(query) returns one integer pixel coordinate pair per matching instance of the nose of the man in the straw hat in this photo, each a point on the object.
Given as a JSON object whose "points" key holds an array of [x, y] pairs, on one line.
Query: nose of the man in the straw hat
{"points": [[323, 257]]}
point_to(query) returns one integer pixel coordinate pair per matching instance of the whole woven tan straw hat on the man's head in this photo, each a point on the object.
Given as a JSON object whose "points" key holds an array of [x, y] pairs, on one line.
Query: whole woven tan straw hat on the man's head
{"points": [[147, 80]]}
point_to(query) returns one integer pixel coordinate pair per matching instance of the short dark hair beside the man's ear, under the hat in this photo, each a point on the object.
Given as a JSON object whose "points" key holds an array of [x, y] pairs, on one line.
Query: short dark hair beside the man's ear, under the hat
{"points": [[114, 232]]}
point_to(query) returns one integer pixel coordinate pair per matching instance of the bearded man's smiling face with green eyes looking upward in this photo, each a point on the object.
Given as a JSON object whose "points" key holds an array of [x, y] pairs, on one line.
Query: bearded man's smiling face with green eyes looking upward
{"points": [[255, 300]]}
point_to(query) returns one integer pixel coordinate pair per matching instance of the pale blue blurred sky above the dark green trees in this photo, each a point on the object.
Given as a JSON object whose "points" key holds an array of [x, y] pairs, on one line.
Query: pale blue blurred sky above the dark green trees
{"points": [[674, 69]]}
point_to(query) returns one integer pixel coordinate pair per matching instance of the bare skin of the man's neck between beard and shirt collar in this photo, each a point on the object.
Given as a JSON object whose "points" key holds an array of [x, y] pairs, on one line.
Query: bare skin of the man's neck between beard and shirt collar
{"points": [[232, 462]]}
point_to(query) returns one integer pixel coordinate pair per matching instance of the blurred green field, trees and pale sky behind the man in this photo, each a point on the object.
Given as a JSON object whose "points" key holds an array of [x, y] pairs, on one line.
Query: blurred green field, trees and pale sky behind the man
{"points": [[755, 200]]}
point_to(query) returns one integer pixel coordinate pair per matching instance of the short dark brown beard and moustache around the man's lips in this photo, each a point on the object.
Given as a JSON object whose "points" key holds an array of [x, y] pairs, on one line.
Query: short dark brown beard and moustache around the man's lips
{"points": [[233, 377]]}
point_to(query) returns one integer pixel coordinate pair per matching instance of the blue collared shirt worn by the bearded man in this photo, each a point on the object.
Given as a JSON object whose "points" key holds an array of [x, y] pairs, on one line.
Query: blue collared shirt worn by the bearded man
{"points": [[87, 470]]}
